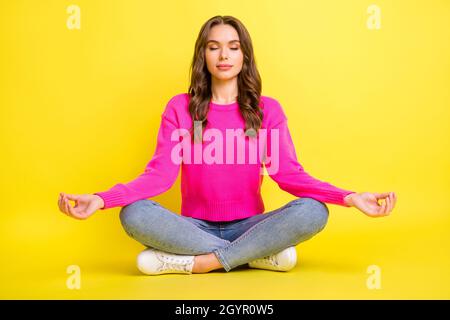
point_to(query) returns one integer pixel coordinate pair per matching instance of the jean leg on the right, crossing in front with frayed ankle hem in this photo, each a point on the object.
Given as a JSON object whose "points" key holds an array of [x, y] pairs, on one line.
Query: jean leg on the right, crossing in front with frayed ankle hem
{"points": [[290, 225]]}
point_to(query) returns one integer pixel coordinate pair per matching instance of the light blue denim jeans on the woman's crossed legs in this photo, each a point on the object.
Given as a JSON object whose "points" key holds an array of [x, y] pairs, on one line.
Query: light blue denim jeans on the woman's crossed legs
{"points": [[234, 243]]}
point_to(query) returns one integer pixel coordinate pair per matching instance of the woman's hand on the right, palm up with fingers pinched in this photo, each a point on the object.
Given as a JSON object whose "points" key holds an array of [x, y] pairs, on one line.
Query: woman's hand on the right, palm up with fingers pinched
{"points": [[368, 203]]}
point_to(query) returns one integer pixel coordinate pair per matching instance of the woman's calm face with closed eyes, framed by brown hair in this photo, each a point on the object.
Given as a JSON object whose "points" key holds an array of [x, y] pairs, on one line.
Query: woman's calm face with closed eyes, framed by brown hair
{"points": [[223, 47]]}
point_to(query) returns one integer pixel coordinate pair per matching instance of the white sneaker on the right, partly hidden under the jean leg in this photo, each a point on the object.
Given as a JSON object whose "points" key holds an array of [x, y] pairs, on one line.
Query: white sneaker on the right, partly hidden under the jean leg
{"points": [[282, 261]]}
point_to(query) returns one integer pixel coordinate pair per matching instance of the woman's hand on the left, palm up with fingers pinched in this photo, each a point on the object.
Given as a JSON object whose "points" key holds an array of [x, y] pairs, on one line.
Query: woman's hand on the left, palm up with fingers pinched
{"points": [[85, 205]]}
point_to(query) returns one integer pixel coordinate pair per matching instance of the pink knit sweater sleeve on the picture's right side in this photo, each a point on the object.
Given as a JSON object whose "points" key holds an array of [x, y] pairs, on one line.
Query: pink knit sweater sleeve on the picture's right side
{"points": [[290, 175]]}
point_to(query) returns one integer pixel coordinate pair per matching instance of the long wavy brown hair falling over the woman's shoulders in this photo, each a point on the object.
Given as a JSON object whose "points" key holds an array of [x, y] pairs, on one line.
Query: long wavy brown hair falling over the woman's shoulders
{"points": [[249, 80]]}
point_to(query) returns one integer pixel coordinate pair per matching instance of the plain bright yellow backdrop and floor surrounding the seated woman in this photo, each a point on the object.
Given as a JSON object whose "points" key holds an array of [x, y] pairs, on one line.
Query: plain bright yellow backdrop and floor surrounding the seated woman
{"points": [[368, 111]]}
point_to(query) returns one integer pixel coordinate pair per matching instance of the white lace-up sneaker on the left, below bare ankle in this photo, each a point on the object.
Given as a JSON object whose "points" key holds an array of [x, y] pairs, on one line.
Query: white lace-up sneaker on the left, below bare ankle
{"points": [[154, 262]]}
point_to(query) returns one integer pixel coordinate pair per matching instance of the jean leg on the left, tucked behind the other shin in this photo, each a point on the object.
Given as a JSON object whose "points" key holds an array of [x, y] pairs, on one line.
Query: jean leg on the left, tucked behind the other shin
{"points": [[154, 226]]}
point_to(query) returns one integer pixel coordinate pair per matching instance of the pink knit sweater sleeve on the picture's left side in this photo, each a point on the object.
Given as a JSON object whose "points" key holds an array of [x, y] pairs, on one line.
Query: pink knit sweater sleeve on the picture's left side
{"points": [[159, 174]]}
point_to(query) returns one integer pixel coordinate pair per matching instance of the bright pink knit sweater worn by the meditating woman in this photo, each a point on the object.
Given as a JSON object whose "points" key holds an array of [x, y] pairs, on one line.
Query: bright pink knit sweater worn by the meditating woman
{"points": [[221, 179]]}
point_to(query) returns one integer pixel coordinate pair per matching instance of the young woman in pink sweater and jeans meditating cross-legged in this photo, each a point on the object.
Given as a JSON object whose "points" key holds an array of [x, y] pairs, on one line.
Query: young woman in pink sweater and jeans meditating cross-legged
{"points": [[222, 222]]}
